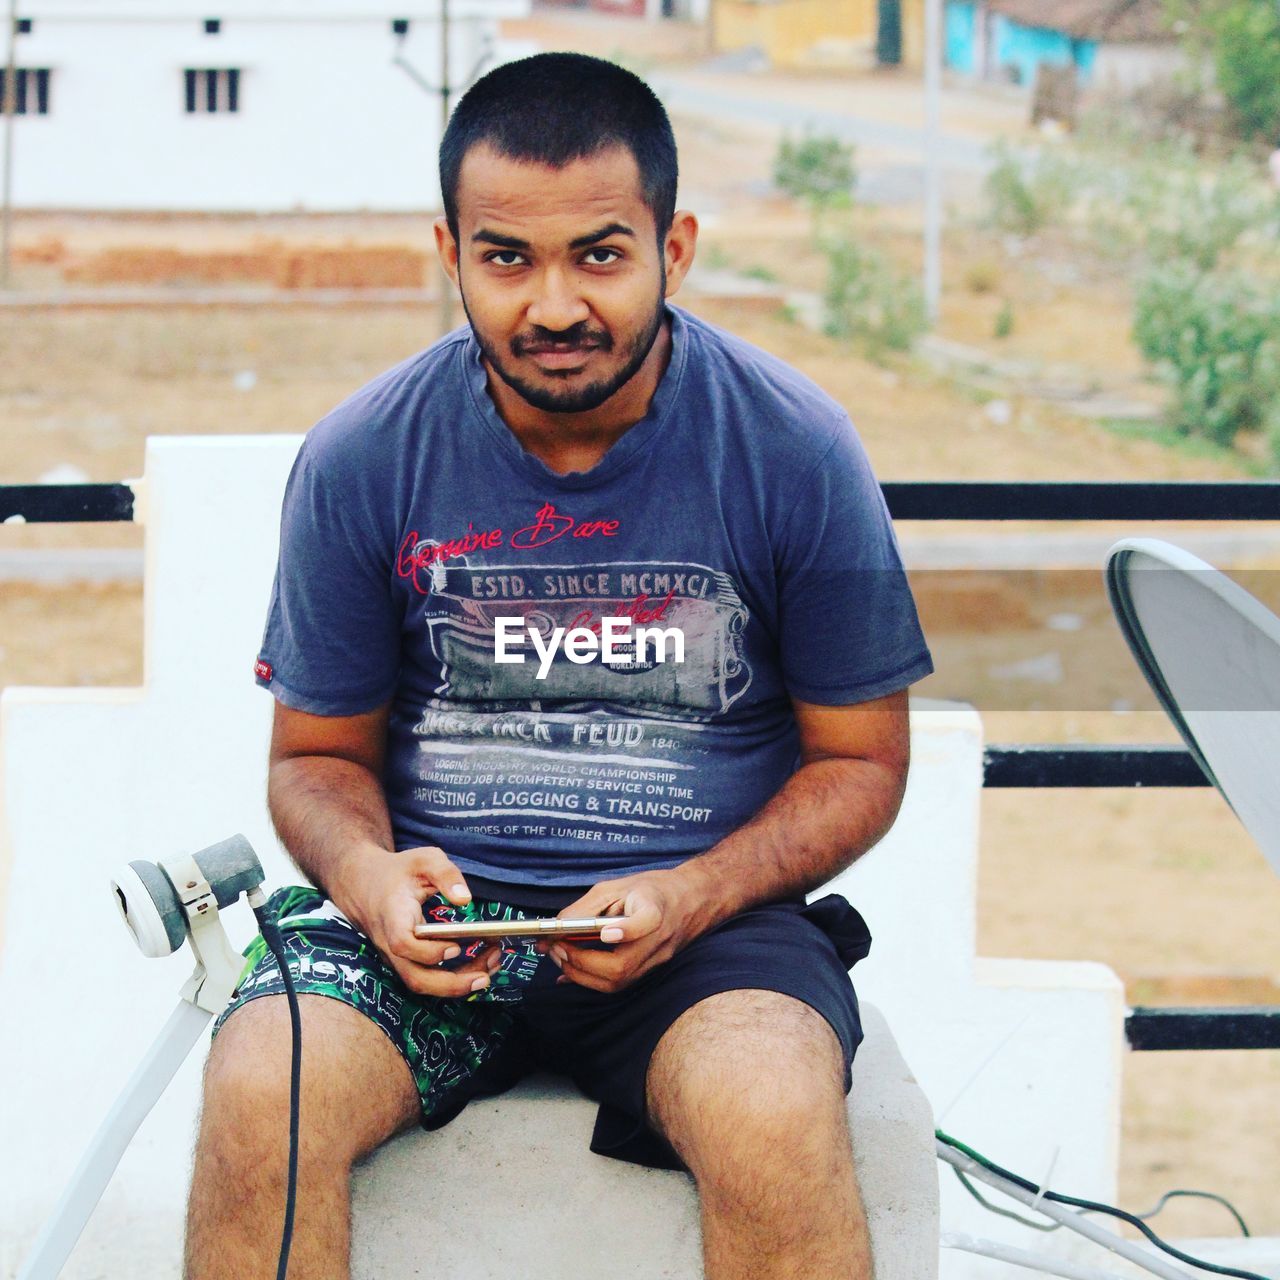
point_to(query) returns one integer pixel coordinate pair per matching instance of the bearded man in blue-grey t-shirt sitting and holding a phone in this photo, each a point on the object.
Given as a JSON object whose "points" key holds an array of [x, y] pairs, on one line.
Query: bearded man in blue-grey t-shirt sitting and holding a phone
{"points": [[582, 451]]}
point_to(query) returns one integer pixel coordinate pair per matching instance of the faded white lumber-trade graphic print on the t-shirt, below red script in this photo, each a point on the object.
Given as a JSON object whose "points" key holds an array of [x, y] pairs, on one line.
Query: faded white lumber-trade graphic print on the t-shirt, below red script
{"points": [[595, 752]]}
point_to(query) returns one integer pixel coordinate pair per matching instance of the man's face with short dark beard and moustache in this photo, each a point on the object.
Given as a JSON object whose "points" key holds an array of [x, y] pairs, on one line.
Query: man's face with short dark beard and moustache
{"points": [[560, 272]]}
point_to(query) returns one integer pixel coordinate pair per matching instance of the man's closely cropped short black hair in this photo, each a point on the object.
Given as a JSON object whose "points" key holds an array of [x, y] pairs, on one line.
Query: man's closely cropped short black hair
{"points": [[559, 108]]}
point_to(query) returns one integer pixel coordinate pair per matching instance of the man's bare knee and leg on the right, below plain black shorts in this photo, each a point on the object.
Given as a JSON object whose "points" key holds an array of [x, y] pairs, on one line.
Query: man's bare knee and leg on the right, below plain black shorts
{"points": [[748, 1087]]}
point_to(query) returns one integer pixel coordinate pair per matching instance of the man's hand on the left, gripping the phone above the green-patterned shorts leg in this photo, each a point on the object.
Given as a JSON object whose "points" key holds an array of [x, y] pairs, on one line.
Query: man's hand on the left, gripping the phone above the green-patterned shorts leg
{"points": [[382, 894]]}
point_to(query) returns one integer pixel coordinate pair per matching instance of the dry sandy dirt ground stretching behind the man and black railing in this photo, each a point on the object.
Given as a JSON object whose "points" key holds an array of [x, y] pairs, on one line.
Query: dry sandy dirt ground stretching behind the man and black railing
{"points": [[1164, 888]]}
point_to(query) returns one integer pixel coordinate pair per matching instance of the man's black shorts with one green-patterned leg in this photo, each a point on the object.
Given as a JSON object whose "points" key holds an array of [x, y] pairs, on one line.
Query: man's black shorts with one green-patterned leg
{"points": [[479, 1046]]}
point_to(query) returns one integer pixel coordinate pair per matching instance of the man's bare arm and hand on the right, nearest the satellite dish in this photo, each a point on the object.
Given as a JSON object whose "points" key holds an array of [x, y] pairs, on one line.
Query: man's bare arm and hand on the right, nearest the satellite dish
{"points": [[831, 811]]}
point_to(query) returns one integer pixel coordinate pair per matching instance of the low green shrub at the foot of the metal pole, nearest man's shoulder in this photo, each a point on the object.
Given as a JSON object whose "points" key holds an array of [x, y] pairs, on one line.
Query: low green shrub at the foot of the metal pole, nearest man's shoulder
{"points": [[868, 301]]}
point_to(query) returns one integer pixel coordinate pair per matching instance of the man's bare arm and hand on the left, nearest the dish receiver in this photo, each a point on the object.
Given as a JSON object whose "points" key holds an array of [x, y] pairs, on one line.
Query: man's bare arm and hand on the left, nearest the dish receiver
{"points": [[330, 810]]}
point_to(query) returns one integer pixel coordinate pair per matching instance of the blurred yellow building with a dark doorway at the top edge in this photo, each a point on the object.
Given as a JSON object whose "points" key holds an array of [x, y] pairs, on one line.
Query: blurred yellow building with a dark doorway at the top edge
{"points": [[824, 34]]}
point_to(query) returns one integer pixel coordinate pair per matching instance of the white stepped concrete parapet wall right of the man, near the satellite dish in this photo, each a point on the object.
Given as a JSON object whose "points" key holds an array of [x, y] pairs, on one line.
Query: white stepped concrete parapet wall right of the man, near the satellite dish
{"points": [[1021, 1059]]}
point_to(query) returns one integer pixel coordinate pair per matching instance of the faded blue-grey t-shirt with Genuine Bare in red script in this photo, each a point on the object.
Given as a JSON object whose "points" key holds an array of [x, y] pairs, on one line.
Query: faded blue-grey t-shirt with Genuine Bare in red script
{"points": [[739, 511]]}
